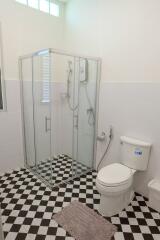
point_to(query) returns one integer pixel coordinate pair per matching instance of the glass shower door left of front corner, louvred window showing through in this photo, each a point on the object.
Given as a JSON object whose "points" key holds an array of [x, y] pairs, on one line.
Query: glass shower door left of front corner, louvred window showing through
{"points": [[42, 114]]}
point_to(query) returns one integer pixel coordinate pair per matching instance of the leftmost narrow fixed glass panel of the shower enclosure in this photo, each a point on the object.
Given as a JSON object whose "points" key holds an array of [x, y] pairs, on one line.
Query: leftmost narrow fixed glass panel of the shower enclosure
{"points": [[28, 112]]}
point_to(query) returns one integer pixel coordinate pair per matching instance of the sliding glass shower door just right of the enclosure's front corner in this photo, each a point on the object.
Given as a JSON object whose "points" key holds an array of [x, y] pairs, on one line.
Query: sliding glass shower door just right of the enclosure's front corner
{"points": [[62, 109]]}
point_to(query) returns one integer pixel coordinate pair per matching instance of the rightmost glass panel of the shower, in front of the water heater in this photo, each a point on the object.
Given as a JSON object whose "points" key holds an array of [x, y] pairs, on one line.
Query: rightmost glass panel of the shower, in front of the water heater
{"points": [[85, 115]]}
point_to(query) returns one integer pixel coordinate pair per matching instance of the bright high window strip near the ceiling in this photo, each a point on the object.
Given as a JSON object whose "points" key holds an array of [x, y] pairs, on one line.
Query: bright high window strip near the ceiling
{"points": [[46, 6]]}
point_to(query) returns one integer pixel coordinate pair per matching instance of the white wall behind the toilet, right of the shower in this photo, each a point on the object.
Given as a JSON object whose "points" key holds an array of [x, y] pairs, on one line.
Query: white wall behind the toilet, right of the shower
{"points": [[125, 35]]}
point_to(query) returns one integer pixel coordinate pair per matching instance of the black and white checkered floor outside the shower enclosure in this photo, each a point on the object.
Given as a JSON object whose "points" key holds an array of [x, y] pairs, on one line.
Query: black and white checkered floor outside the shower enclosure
{"points": [[27, 208]]}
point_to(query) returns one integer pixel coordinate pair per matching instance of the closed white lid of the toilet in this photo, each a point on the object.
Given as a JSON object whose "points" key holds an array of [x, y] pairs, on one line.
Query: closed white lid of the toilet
{"points": [[114, 174]]}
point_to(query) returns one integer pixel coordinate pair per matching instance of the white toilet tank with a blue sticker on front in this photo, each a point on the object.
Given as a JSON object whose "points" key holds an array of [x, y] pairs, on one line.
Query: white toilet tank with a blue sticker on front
{"points": [[135, 153]]}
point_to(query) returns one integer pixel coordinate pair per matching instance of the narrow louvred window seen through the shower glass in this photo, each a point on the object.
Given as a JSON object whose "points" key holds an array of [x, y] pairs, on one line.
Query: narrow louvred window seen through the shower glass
{"points": [[46, 79]]}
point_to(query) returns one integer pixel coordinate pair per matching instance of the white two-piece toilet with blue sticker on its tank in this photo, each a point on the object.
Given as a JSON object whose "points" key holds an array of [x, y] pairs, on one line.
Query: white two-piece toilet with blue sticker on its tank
{"points": [[115, 181]]}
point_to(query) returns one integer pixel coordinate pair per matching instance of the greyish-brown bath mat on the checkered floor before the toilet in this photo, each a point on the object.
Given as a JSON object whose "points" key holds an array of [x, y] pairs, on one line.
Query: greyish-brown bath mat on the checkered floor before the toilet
{"points": [[84, 223]]}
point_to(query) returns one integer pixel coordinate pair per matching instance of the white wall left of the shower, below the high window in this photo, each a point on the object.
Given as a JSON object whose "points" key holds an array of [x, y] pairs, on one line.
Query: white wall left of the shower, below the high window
{"points": [[24, 30]]}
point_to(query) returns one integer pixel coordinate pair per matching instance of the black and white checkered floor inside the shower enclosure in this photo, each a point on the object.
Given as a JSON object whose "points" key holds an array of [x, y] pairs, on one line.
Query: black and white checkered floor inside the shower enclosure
{"points": [[59, 169]]}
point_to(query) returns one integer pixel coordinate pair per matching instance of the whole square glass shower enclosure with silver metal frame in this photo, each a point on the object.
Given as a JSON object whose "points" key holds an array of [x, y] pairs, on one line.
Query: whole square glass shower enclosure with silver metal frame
{"points": [[59, 94]]}
